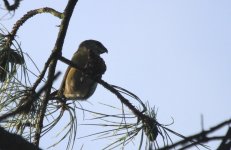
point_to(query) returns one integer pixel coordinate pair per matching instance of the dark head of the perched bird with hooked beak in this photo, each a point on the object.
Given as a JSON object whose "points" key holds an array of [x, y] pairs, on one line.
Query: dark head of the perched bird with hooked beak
{"points": [[94, 46]]}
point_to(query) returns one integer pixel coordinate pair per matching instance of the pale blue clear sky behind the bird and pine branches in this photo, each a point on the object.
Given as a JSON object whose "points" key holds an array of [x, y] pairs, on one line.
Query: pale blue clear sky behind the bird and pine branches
{"points": [[175, 54]]}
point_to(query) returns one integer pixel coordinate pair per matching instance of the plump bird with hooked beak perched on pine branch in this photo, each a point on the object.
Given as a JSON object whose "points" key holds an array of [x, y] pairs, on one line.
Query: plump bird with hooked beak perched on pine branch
{"points": [[80, 84]]}
